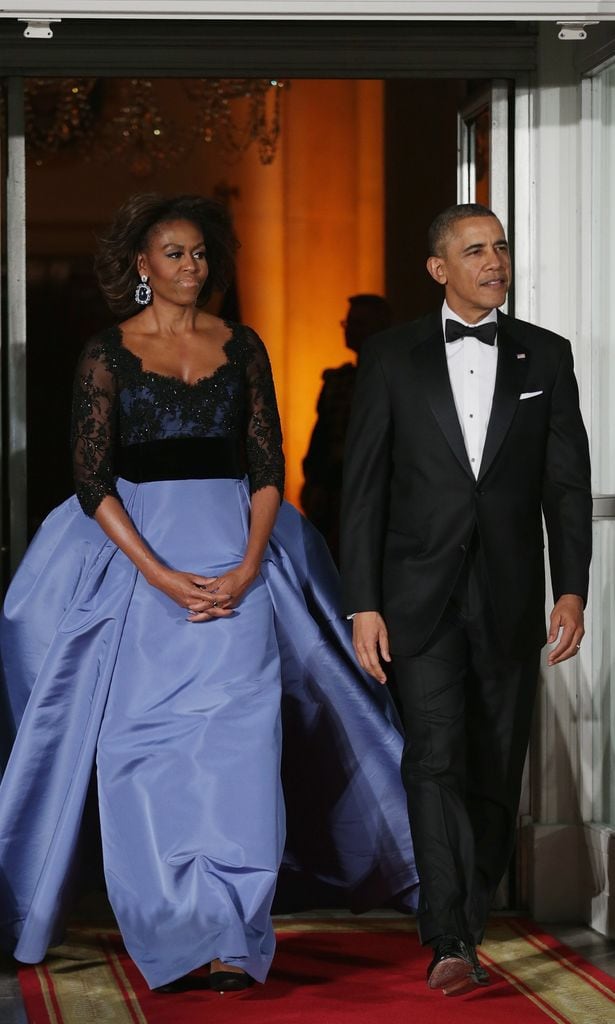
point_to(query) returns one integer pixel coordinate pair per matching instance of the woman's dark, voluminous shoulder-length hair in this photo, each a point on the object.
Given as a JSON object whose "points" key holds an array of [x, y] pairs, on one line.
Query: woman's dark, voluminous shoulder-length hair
{"points": [[129, 234]]}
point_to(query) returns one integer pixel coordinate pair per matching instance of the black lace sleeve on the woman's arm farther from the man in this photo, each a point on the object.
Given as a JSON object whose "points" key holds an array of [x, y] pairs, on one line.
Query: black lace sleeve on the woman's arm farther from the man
{"points": [[94, 431]]}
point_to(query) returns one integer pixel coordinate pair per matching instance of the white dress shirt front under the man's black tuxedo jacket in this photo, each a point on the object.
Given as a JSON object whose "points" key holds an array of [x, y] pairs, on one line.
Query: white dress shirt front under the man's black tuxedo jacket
{"points": [[472, 367]]}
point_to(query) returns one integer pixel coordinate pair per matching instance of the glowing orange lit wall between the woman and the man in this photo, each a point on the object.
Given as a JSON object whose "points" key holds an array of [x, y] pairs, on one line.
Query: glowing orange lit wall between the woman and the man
{"points": [[312, 227]]}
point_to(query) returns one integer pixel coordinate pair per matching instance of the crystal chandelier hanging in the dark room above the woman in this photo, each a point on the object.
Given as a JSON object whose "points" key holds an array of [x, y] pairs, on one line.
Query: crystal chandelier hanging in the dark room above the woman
{"points": [[131, 121]]}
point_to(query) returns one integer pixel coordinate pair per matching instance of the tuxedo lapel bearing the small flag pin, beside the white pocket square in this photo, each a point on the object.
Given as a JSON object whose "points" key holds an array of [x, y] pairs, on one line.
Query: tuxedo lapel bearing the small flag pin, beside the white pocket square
{"points": [[513, 363]]}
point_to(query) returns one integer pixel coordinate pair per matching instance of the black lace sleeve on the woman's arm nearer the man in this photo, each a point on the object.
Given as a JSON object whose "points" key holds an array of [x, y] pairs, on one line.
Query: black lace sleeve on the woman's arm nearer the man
{"points": [[263, 436]]}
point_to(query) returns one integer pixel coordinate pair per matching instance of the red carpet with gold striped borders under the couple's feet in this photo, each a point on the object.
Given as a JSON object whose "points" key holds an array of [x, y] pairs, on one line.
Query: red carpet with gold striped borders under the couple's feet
{"points": [[330, 972]]}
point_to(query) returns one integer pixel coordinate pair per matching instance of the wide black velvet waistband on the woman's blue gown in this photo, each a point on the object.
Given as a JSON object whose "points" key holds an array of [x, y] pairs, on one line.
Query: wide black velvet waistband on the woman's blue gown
{"points": [[182, 459]]}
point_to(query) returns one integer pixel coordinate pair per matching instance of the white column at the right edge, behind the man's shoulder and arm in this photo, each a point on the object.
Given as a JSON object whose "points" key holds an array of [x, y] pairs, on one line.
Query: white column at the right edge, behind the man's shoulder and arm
{"points": [[570, 859]]}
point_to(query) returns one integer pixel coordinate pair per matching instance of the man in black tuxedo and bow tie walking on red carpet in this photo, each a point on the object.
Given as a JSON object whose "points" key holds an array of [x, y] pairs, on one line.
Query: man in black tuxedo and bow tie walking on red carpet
{"points": [[466, 431]]}
